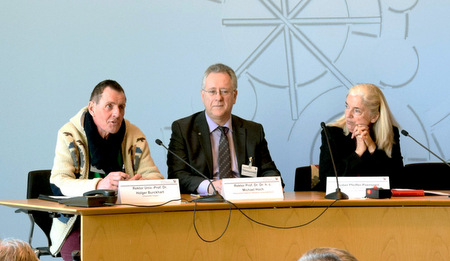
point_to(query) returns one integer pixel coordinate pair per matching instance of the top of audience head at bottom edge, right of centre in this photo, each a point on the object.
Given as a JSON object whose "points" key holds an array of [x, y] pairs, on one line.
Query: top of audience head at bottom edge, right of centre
{"points": [[327, 254]]}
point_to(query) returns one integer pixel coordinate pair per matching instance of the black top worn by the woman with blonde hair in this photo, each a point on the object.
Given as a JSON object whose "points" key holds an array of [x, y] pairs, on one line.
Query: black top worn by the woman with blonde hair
{"points": [[348, 163]]}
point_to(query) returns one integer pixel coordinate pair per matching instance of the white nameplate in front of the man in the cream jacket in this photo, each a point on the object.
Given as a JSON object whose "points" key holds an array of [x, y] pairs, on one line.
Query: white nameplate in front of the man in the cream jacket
{"points": [[141, 192]]}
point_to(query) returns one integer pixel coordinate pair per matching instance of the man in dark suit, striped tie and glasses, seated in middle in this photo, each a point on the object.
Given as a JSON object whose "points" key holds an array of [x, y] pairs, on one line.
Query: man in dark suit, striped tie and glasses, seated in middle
{"points": [[242, 150]]}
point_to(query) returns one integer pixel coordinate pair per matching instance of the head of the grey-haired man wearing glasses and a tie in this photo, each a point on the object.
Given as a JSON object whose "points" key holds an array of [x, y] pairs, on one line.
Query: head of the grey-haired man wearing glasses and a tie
{"points": [[219, 92]]}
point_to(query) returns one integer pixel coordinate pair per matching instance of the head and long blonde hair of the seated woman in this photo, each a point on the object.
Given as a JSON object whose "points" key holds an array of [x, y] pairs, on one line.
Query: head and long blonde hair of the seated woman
{"points": [[365, 104]]}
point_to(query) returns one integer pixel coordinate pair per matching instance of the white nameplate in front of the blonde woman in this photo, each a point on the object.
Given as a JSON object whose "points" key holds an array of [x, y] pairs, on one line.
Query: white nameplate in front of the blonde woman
{"points": [[355, 187]]}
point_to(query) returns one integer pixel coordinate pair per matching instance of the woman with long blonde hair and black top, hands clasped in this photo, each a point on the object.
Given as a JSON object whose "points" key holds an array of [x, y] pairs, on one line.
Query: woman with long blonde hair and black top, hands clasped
{"points": [[365, 141]]}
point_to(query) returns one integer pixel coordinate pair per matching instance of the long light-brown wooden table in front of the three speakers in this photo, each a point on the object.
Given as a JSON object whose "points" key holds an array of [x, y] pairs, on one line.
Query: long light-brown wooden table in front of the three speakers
{"points": [[410, 228]]}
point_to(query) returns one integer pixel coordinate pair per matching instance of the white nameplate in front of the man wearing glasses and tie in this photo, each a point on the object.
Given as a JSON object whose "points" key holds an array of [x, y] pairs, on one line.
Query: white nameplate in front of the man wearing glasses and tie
{"points": [[252, 188]]}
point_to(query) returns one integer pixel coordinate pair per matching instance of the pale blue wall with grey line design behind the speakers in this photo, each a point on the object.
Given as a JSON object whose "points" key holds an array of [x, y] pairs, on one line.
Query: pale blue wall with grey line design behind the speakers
{"points": [[295, 61]]}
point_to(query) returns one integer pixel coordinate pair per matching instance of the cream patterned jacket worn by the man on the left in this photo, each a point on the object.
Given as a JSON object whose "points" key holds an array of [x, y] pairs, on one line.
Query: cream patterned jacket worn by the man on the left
{"points": [[71, 166]]}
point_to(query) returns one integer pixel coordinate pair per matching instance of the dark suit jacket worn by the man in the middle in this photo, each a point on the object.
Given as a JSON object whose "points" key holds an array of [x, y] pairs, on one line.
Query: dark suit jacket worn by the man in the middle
{"points": [[190, 140]]}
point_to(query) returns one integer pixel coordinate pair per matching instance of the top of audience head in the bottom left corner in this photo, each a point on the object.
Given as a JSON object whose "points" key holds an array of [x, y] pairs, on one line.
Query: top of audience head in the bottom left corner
{"points": [[16, 250]]}
